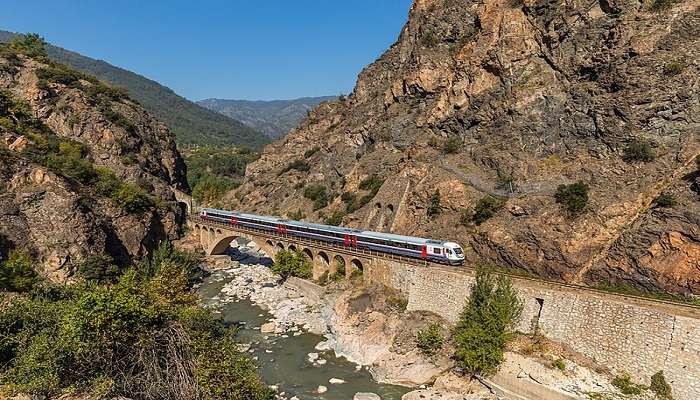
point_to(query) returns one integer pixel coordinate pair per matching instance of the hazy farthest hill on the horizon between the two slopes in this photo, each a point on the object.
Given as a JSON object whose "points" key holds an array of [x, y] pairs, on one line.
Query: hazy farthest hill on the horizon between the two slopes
{"points": [[274, 118]]}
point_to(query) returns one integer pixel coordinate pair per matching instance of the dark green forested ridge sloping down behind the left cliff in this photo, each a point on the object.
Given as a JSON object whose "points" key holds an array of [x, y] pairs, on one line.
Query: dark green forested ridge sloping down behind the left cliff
{"points": [[191, 123]]}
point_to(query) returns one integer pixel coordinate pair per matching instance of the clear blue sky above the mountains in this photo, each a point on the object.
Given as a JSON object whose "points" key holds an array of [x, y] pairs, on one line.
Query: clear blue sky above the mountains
{"points": [[272, 49]]}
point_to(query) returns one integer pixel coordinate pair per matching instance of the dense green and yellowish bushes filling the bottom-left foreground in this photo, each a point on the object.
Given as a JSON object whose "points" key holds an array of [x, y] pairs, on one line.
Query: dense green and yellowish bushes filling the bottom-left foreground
{"points": [[141, 337]]}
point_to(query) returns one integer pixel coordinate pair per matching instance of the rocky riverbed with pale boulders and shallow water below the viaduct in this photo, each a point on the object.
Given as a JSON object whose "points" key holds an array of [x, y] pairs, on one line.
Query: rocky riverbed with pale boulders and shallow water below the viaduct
{"points": [[352, 337]]}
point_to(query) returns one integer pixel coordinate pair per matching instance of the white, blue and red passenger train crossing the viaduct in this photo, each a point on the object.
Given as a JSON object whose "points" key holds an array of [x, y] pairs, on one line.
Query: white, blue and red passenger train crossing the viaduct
{"points": [[408, 246]]}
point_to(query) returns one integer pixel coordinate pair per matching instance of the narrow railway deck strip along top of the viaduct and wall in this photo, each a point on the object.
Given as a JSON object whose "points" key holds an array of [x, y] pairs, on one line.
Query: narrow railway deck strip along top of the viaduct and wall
{"points": [[669, 306]]}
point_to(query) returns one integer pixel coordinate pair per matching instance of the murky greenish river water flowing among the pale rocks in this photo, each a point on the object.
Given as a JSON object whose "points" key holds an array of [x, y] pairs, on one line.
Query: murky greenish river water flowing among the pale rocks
{"points": [[284, 360]]}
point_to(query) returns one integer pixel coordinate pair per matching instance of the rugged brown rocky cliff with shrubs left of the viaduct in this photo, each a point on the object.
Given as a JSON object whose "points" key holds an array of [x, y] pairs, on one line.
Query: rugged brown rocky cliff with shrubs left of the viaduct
{"points": [[85, 170]]}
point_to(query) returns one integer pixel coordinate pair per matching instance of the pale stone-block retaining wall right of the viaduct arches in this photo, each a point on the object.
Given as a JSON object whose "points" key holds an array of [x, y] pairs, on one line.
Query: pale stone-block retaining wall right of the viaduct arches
{"points": [[634, 336]]}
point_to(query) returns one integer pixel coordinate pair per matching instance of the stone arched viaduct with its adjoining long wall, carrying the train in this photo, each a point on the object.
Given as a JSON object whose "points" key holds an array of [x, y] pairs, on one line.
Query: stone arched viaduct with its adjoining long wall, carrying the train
{"points": [[625, 334]]}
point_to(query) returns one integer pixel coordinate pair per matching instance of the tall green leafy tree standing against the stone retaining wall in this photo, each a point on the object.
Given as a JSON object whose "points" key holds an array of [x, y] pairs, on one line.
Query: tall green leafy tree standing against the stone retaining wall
{"points": [[486, 323]]}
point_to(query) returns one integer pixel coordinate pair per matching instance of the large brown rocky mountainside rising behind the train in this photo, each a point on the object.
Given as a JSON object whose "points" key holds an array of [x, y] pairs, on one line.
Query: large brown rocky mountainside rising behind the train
{"points": [[513, 99]]}
